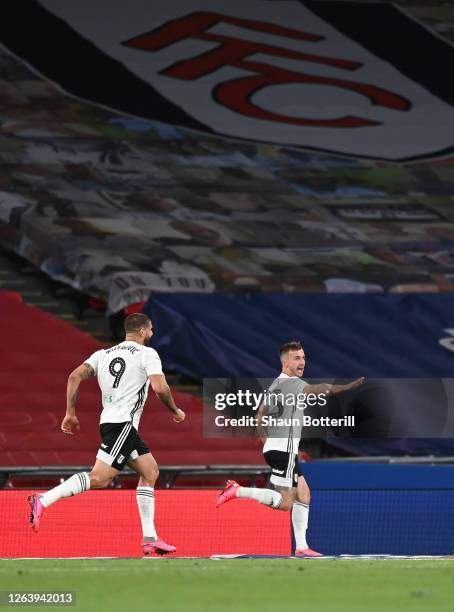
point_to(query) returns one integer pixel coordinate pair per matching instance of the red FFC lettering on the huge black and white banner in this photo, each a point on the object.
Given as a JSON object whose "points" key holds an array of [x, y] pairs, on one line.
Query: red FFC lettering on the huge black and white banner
{"points": [[236, 94]]}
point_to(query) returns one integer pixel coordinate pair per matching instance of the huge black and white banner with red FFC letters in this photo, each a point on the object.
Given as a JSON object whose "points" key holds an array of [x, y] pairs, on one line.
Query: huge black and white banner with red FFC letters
{"points": [[327, 76]]}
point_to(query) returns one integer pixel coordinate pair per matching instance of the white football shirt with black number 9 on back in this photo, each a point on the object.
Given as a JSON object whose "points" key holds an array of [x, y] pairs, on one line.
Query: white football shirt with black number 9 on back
{"points": [[122, 372]]}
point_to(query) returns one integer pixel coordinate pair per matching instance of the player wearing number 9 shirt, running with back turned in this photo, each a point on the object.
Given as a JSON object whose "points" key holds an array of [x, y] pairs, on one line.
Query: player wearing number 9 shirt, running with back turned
{"points": [[124, 371]]}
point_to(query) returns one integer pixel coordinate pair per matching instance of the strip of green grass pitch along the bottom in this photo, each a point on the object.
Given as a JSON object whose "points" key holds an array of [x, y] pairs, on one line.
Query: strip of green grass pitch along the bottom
{"points": [[243, 584]]}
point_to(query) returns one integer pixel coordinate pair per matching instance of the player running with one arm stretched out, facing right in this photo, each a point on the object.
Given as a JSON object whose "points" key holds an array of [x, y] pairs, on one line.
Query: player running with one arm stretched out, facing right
{"points": [[291, 491]]}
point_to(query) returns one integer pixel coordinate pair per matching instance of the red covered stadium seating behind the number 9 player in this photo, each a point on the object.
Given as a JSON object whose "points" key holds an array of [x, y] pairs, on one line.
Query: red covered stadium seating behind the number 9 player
{"points": [[39, 351]]}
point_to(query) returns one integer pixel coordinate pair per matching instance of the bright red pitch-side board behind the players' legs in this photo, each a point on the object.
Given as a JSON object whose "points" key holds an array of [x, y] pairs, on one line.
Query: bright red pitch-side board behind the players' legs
{"points": [[107, 524]]}
